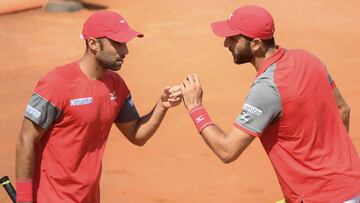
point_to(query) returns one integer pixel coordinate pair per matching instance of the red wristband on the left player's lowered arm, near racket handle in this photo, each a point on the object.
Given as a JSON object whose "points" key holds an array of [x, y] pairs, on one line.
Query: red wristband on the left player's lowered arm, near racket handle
{"points": [[24, 190]]}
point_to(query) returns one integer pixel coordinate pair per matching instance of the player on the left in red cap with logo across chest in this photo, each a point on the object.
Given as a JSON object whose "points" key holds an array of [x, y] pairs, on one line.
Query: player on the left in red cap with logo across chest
{"points": [[70, 113]]}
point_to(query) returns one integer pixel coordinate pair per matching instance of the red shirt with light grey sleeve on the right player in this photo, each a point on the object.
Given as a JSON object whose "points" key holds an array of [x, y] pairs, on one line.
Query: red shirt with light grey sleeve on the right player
{"points": [[292, 108]]}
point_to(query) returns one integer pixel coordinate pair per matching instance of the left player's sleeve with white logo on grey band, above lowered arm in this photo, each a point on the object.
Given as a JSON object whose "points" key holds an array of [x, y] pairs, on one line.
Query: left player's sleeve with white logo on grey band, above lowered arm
{"points": [[46, 103]]}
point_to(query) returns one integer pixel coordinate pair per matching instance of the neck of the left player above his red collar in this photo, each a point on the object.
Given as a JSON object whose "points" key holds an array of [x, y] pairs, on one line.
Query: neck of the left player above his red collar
{"points": [[90, 67]]}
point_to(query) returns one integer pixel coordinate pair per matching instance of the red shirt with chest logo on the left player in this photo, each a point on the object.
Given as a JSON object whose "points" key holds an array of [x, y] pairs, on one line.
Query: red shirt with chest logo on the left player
{"points": [[77, 114]]}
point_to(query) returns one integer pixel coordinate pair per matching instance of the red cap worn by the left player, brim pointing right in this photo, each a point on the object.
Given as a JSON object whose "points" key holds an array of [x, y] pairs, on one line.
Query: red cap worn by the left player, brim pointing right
{"points": [[108, 24]]}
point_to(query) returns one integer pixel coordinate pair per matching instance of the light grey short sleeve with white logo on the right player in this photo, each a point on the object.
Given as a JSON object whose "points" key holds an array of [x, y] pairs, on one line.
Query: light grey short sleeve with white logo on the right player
{"points": [[261, 108]]}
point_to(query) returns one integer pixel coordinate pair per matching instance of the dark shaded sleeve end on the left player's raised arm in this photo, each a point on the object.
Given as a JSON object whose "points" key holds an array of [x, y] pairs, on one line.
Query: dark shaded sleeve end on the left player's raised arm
{"points": [[128, 111]]}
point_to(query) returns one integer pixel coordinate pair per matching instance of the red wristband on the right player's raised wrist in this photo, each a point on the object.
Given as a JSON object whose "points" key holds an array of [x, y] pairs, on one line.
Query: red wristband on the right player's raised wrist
{"points": [[200, 117]]}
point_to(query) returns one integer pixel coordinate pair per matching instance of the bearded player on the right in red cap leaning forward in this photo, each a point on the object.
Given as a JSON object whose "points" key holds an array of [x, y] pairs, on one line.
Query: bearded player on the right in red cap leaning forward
{"points": [[292, 107]]}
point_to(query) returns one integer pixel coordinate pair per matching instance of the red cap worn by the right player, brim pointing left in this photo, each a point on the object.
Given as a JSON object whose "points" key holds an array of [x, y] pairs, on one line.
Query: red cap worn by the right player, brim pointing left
{"points": [[251, 21]]}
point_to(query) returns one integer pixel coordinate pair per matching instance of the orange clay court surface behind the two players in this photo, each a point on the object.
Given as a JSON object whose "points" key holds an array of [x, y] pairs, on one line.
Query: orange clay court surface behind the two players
{"points": [[176, 166]]}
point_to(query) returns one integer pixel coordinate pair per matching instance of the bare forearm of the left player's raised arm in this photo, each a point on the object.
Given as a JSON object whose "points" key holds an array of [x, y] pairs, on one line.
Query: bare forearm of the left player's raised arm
{"points": [[148, 124]]}
